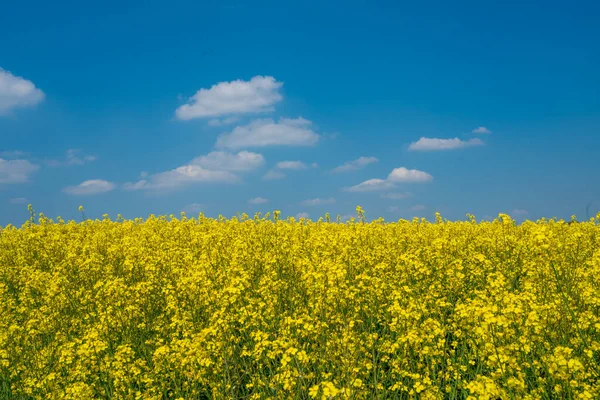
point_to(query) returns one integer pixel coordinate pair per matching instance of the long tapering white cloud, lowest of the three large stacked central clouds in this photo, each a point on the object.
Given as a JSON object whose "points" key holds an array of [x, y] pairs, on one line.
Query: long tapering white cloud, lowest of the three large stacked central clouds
{"points": [[180, 177]]}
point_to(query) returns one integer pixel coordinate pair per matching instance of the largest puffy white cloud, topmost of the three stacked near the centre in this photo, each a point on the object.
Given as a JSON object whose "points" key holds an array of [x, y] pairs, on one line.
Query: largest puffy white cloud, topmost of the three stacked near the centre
{"points": [[235, 97]]}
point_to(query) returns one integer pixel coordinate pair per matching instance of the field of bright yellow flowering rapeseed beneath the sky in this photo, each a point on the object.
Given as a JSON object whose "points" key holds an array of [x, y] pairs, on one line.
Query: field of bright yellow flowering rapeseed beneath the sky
{"points": [[256, 308]]}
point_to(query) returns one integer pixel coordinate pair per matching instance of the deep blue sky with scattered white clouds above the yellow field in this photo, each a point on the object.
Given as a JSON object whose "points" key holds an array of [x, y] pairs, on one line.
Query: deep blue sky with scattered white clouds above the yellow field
{"points": [[306, 107]]}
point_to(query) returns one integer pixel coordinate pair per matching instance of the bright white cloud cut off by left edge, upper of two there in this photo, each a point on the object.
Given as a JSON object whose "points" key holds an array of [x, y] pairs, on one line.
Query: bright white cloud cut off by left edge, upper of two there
{"points": [[16, 92]]}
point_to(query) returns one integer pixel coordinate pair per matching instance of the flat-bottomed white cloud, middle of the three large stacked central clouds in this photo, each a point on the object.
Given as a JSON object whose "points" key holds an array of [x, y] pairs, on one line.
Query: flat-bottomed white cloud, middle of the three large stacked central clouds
{"points": [[267, 132]]}
